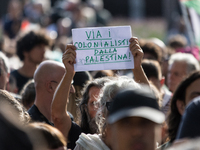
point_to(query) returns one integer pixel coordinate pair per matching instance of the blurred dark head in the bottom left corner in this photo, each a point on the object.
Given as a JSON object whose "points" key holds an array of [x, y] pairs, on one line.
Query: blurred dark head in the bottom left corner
{"points": [[12, 134]]}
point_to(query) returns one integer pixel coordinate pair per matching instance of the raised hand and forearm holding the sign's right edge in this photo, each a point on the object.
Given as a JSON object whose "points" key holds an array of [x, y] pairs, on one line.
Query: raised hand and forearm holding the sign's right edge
{"points": [[139, 75]]}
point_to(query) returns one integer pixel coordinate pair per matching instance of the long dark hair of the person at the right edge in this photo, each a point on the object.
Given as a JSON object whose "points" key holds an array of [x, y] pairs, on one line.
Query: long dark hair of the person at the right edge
{"points": [[174, 117]]}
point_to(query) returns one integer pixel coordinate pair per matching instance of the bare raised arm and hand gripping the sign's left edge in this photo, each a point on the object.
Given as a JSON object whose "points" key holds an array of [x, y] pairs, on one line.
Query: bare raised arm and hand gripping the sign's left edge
{"points": [[61, 118]]}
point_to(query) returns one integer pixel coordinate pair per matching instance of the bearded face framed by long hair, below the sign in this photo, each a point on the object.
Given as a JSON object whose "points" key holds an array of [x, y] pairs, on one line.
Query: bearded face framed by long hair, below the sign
{"points": [[93, 95]]}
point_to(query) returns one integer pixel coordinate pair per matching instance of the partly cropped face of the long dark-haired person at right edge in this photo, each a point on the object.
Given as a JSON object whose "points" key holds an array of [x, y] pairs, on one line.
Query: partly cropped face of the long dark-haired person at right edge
{"points": [[192, 91]]}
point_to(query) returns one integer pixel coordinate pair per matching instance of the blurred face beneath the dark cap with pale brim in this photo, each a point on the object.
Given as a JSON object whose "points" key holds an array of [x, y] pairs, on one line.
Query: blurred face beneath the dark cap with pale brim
{"points": [[134, 133]]}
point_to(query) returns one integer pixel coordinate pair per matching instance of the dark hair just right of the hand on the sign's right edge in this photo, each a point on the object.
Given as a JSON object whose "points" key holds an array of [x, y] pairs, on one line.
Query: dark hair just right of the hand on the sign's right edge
{"points": [[151, 48]]}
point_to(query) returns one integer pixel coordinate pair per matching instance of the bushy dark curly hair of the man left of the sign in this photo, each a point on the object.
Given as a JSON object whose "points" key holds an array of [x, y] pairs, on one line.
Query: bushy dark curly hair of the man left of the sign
{"points": [[29, 41]]}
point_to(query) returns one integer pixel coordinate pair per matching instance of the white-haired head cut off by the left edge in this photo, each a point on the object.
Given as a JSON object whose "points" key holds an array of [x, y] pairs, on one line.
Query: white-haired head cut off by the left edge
{"points": [[4, 71]]}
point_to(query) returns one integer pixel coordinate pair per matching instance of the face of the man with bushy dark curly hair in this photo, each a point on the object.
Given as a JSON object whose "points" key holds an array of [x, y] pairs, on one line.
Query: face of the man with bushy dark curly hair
{"points": [[36, 55]]}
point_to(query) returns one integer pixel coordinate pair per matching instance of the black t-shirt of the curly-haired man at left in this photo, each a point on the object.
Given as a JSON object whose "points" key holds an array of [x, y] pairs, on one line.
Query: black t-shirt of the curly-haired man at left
{"points": [[20, 79]]}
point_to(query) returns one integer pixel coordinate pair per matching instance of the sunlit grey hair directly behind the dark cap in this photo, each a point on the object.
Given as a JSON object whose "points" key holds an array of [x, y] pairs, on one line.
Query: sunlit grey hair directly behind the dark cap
{"points": [[107, 93]]}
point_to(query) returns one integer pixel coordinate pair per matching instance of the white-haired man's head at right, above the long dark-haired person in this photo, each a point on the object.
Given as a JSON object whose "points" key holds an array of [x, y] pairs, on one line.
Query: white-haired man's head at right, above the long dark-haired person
{"points": [[180, 65]]}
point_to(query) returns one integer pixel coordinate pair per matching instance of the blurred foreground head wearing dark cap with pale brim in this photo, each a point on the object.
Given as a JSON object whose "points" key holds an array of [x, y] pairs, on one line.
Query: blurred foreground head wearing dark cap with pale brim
{"points": [[134, 120]]}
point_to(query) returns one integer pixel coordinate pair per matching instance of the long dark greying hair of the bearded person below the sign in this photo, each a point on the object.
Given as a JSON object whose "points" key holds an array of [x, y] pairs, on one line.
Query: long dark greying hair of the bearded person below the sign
{"points": [[84, 122]]}
